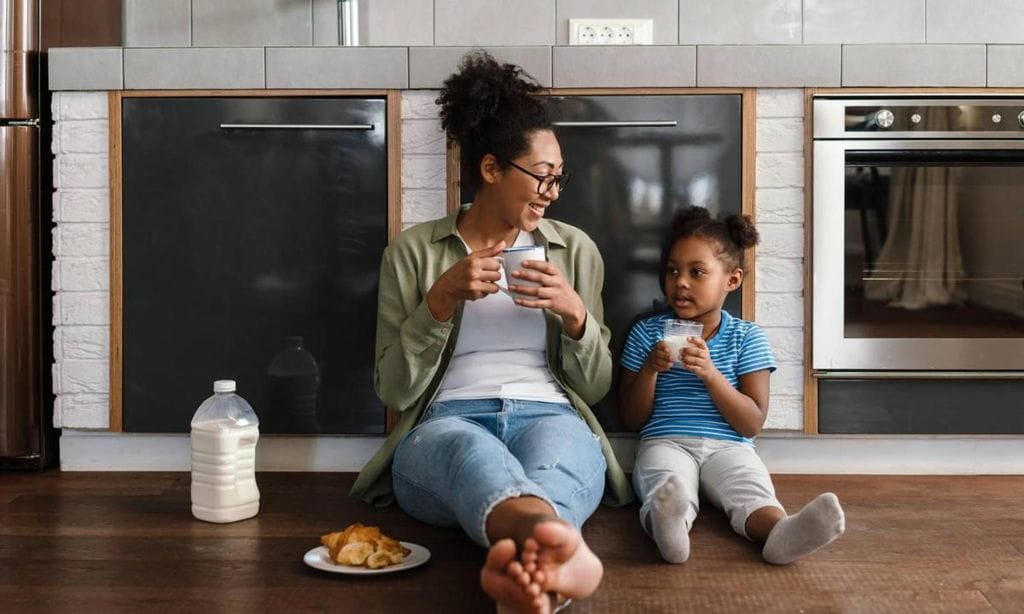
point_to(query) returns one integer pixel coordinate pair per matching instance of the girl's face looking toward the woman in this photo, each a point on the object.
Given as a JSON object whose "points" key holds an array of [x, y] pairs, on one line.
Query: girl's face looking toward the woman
{"points": [[697, 282]]}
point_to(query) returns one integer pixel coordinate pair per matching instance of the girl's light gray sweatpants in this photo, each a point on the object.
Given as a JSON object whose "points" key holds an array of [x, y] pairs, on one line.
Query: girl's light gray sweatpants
{"points": [[731, 474]]}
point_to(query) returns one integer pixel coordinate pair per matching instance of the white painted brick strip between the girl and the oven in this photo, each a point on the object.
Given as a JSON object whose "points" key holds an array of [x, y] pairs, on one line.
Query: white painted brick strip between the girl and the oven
{"points": [[780, 207]]}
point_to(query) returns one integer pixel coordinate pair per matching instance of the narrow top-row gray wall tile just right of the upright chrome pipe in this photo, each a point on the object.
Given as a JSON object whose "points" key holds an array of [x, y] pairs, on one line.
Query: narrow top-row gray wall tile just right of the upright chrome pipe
{"points": [[398, 23]]}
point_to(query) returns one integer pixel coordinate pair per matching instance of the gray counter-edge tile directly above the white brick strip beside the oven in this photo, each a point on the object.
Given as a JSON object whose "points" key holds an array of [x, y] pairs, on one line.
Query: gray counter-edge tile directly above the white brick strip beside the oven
{"points": [[770, 66]]}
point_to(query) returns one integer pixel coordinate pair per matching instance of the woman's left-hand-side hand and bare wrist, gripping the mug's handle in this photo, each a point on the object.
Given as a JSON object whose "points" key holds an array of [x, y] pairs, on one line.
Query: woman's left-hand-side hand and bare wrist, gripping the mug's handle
{"points": [[473, 278]]}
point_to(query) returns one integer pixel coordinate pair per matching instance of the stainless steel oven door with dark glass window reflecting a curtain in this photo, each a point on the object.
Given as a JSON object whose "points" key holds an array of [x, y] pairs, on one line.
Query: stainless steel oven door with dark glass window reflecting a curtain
{"points": [[929, 270]]}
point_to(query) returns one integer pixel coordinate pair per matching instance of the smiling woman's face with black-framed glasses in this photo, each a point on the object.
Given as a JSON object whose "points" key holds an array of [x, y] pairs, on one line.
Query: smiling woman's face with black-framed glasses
{"points": [[520, 204]]}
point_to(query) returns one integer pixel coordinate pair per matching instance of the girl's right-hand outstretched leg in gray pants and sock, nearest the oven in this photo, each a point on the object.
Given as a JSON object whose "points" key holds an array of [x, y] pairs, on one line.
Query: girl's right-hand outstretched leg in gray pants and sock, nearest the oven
{"points": [[738, 483]]}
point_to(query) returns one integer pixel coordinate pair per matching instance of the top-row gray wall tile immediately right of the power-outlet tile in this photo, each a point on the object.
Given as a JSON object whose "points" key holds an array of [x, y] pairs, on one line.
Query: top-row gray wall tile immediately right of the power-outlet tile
{"points": [[739, 22]]}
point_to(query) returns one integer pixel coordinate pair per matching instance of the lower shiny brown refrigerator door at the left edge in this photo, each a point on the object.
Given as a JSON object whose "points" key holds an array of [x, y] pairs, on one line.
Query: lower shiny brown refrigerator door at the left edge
{"points": [[20, 428]]}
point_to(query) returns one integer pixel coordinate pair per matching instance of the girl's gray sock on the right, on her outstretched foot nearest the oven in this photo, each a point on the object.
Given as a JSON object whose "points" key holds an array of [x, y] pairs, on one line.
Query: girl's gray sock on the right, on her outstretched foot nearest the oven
{"points": [[818, 524]]}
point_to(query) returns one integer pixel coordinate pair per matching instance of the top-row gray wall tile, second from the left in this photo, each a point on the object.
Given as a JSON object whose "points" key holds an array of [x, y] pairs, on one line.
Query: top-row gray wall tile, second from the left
{"points": [[251, 23]]}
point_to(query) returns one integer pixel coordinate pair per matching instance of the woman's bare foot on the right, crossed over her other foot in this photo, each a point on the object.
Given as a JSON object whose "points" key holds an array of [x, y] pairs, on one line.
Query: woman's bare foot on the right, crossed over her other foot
{"points": [[560, 561]]}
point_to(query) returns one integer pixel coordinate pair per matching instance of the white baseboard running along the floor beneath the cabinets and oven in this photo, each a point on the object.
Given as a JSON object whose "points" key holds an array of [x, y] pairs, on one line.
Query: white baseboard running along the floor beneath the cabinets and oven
{"points": [[784, 453]]}
